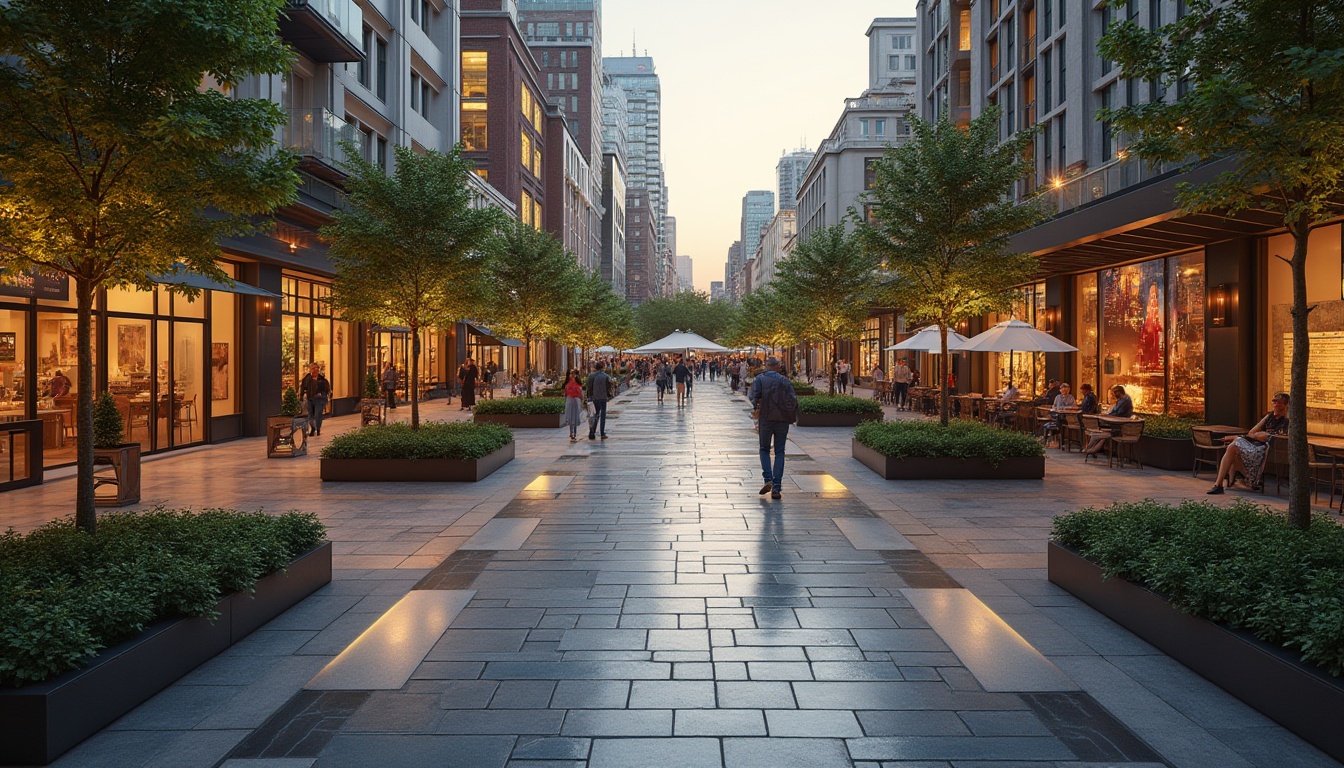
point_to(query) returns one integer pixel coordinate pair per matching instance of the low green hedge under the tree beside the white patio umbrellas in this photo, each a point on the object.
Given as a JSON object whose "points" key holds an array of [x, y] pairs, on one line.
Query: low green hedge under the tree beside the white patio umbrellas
{"points": [[958, 440]]}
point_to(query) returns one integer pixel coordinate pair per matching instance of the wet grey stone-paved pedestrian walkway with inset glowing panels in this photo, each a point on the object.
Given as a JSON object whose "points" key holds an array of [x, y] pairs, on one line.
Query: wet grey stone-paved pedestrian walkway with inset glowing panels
{"points": [[634, 603]]}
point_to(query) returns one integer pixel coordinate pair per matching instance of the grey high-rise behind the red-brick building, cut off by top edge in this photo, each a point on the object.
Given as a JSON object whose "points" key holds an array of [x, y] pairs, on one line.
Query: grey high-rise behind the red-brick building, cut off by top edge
{"points": [[566, 41]]}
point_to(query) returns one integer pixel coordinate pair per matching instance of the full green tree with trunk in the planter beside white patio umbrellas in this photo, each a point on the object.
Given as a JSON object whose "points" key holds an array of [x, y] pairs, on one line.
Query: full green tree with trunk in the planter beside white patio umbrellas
{"points": [[943, 213]]}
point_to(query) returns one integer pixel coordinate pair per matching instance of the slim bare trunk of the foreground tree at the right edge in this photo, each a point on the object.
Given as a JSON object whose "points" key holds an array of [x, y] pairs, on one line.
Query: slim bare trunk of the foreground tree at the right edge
{"points": [[1299, 486]]}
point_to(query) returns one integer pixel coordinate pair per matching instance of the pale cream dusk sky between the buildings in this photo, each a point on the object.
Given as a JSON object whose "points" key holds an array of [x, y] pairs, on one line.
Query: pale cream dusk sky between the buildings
{"points": [[744, 81]]}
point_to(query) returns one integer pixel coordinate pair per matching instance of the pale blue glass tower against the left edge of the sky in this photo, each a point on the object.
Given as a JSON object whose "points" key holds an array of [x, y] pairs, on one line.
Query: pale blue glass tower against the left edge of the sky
{"points": [[638, 77]]}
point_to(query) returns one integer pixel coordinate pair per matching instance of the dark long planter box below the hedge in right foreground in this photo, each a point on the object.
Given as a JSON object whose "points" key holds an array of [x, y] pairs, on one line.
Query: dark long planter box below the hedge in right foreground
{"points": [[1275, 681]]}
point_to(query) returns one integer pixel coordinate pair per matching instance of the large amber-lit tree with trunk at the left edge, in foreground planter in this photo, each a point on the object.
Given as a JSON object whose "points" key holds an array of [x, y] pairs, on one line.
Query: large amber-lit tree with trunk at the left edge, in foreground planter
{"points": [[115, 153]]}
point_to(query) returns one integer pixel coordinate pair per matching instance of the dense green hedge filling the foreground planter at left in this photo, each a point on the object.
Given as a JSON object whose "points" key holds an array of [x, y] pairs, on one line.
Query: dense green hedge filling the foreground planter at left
{"points": [[67, 595]]}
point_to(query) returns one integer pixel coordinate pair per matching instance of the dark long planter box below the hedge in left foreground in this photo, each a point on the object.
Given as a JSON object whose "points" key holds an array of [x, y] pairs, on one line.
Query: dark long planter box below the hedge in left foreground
{"points": [[41, 722]]}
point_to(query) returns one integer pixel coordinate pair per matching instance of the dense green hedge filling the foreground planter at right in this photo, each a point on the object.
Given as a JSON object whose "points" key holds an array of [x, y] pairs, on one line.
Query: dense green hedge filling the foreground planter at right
{"points": [[1243, 566]]}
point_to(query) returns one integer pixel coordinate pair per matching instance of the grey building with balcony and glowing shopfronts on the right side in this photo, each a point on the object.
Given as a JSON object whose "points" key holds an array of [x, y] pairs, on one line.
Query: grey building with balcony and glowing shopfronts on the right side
{"points": [[1190, 314]]}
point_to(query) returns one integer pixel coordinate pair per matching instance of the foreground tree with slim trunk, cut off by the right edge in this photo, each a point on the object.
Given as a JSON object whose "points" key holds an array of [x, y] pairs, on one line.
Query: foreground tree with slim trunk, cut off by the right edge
{"points": [[1260, 83]]}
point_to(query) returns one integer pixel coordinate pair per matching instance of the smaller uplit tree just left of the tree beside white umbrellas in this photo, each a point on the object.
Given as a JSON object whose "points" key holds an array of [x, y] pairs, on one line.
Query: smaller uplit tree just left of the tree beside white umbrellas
{"points": [[830, 284]]}
